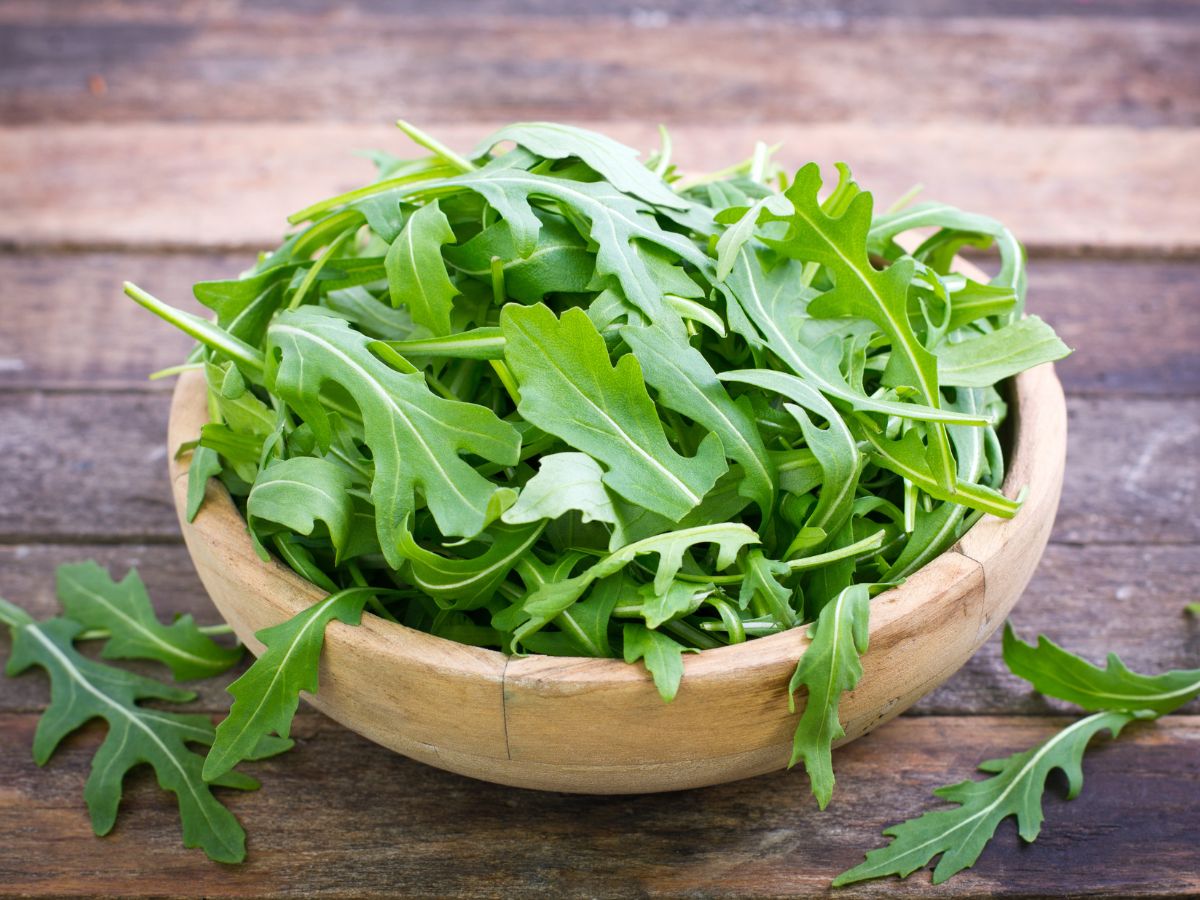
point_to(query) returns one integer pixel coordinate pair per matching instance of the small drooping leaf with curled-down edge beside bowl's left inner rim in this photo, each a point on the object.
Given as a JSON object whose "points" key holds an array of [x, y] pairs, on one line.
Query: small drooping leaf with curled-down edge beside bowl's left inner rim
{"points": [[297, 494]]}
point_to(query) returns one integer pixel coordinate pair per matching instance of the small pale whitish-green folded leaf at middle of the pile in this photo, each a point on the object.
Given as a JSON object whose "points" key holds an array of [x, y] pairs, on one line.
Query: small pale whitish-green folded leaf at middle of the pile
{"points": [[563, 483]]}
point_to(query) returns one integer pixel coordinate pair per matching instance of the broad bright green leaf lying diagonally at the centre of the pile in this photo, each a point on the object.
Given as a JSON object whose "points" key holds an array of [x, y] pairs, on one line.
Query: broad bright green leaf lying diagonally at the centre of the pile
{"points": [[569, 388]]}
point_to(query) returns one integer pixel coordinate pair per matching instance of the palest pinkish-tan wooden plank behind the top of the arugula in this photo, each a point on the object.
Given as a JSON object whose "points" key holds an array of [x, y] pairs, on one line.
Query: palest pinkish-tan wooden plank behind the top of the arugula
{"points": [[220, 185]]}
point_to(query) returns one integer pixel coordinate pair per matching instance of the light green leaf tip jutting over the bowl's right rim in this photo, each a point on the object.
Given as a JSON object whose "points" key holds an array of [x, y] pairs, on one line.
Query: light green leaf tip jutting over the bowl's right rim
{"points": [[991, 358]]}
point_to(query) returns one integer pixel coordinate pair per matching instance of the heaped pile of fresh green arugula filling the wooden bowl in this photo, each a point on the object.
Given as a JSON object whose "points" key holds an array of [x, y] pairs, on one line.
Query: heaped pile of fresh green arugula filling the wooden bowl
{"points": [[553, 400]]}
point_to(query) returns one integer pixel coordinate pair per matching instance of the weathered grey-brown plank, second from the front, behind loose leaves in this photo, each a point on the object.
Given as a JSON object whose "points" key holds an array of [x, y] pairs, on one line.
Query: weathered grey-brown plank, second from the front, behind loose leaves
{"points": [[1093, 601]]}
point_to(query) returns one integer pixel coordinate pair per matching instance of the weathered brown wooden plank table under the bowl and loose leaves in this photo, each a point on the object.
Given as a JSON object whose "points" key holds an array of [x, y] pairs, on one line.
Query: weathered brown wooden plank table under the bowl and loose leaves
{"points": [[164, 146]]}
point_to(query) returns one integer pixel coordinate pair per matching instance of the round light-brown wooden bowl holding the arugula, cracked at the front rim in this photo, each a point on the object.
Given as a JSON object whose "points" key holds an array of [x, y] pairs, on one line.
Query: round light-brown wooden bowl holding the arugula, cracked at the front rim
{"points": [[598, 725]]}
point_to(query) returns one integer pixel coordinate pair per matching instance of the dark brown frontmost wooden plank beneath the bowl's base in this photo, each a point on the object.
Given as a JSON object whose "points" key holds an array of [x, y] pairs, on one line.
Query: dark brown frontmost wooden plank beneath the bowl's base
{"points": [[343, 818]]}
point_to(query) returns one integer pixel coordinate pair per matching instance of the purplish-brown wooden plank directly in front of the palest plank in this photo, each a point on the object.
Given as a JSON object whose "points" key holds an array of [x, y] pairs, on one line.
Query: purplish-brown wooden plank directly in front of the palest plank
{"points": [[71, 328]]}
